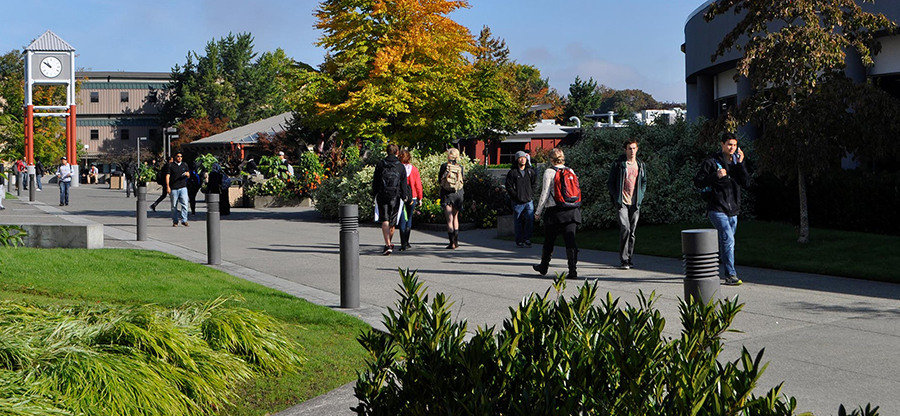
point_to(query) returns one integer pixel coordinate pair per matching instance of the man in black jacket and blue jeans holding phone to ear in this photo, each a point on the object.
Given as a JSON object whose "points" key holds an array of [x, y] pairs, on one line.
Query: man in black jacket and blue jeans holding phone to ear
{"points": [[720, 178]]}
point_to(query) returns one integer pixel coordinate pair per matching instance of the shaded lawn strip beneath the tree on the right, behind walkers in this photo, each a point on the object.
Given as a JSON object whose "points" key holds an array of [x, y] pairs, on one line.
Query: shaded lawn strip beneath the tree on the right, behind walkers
{"points": [[773, 245]]}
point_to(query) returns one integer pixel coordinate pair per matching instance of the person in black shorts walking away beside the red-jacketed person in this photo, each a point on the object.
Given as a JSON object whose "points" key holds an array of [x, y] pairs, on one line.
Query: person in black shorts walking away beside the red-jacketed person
{"points": [[390, 189]]}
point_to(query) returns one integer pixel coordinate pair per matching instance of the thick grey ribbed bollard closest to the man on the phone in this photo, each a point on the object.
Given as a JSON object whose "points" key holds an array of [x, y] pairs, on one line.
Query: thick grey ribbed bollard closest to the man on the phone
{"points": [[701, 264]]}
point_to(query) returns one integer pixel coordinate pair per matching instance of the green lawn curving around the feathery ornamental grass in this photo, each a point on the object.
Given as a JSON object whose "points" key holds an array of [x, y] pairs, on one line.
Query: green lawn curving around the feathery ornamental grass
{"points": [[130, 277]]}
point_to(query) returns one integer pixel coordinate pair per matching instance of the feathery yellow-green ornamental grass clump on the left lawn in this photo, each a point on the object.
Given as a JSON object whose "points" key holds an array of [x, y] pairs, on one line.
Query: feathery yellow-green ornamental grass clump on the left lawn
{"points": [[148, 360]]}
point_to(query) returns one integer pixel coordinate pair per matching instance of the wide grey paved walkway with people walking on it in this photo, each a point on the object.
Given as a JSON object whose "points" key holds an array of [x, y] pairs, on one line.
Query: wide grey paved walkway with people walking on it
{"points": [[832, 340]]}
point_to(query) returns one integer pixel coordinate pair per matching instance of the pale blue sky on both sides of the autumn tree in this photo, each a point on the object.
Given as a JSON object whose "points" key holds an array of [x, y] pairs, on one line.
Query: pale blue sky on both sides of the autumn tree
{"points": [[620, 43]]}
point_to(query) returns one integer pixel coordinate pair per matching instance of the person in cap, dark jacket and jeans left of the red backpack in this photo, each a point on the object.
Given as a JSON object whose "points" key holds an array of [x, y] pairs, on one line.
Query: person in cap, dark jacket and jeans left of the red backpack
{"points": [[520, 181]]}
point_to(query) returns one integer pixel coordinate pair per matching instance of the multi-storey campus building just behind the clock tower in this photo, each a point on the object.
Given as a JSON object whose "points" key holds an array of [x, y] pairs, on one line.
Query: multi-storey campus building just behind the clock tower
{"points": [[116, 108]]}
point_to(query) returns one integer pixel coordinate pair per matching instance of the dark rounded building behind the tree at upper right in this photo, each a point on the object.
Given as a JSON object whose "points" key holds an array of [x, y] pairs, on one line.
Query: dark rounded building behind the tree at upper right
{"points": [[711, 89]]}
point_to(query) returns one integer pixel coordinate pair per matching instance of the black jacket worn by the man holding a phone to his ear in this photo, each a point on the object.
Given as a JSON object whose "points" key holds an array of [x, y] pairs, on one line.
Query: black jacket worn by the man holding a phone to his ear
{"points": [[726, 191]]}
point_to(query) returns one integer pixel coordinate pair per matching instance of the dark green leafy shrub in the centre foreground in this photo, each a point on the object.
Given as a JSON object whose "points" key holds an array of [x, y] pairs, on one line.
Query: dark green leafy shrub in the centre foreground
{"points": [[558, 356]]}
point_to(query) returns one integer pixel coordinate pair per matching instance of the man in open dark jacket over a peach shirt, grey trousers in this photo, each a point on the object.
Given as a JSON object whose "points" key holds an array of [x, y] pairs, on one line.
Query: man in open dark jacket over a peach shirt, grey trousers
{"points": [[627, 184]]}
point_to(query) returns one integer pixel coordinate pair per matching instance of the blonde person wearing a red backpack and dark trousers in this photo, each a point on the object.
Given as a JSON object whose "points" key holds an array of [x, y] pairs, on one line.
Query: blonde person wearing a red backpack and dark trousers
{"points": [[560, 218]]}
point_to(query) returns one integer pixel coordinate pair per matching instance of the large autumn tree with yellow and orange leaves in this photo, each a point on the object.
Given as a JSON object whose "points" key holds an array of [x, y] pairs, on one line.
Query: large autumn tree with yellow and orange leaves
{"points": [[400, 71]]}
